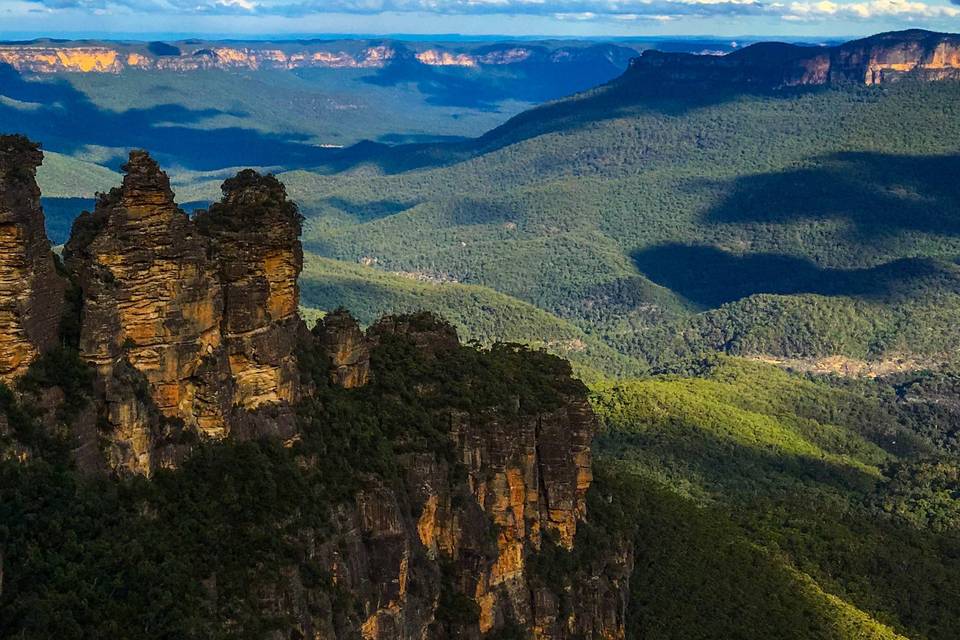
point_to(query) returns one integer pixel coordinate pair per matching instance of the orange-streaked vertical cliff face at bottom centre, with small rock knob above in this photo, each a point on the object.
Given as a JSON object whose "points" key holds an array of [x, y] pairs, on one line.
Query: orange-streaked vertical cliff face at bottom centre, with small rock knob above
{"points": [[476, 529]]}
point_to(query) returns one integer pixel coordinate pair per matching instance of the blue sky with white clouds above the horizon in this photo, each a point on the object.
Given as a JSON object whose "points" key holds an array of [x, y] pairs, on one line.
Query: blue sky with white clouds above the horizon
{"points": [[804, 18]]}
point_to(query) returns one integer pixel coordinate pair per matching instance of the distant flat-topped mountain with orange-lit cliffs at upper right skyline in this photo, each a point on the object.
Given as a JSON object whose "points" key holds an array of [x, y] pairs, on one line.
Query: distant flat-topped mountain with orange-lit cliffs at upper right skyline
{"points": [[876, 60]]}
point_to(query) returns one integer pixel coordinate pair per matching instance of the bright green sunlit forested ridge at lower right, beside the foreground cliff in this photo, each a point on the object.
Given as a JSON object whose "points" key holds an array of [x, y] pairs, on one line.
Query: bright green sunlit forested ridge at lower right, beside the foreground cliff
{"points": [[785, 506]]}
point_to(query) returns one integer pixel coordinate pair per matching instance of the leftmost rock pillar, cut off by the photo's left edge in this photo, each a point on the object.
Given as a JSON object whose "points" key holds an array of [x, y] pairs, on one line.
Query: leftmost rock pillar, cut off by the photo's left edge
{"points": [[31, 290]]}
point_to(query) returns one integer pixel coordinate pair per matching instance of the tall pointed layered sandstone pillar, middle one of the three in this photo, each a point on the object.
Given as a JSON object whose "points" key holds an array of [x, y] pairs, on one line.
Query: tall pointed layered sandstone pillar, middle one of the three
{"points": [[152, 307]]}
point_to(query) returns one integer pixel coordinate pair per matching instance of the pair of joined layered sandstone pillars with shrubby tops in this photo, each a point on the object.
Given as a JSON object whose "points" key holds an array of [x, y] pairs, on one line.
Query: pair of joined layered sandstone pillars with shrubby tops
{"points": [[191, 327]]}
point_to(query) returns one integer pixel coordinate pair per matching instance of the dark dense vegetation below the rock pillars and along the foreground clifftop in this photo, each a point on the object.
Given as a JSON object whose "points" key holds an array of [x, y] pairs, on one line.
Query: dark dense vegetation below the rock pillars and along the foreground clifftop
{"points": [[201, 551]]}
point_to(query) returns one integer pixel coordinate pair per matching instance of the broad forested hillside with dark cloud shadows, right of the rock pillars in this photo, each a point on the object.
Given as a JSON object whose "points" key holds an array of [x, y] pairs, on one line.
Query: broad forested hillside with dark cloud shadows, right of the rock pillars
{"points": [[718, 216]]}
